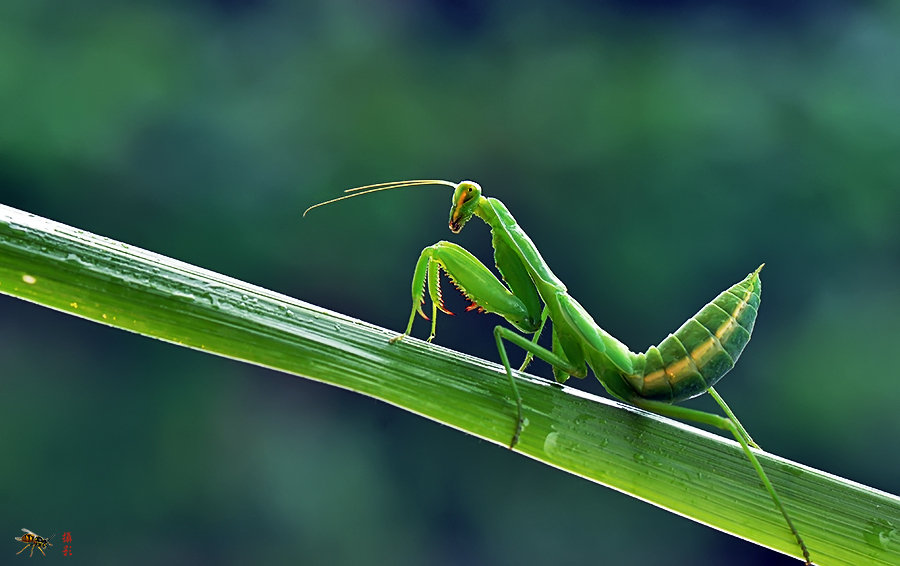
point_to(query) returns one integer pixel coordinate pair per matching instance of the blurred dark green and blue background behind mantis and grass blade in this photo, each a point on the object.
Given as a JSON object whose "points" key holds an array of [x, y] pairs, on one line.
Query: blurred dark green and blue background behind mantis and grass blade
{"points": [[656, 152]]}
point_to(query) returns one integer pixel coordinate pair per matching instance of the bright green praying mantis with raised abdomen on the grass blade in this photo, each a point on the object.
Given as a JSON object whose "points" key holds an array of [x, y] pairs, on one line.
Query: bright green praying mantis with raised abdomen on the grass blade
{"points": [[685, 364]]}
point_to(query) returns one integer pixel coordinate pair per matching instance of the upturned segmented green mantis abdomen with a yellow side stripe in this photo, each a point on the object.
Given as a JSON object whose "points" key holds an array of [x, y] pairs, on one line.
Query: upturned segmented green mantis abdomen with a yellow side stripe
{"points": [[705, 348]]}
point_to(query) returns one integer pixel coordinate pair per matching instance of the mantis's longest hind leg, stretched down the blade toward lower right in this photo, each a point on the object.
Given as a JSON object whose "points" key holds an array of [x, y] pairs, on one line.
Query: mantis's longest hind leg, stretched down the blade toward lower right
{"points": [[732, 425]]}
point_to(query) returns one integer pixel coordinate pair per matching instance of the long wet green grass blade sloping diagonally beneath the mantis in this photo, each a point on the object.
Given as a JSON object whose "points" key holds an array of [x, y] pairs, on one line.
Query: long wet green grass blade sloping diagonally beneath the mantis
{"points": [[663, 462]]}
